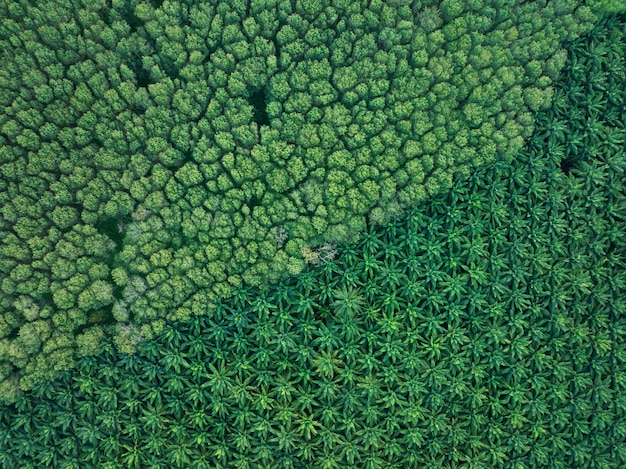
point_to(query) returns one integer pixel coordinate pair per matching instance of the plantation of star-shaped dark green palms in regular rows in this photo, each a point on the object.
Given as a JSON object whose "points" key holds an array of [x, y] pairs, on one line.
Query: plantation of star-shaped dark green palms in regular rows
{"points": [[486, 328]]}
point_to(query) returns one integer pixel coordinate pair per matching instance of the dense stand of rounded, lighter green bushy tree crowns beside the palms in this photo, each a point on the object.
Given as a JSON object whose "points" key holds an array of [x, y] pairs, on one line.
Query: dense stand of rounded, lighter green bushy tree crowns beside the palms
{"points": [[155, 155]]}
